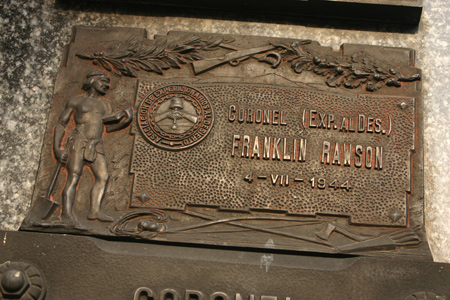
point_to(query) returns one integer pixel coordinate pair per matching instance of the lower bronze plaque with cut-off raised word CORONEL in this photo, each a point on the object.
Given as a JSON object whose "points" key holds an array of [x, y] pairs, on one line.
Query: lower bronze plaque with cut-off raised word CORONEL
{"points": [[78, 267]]}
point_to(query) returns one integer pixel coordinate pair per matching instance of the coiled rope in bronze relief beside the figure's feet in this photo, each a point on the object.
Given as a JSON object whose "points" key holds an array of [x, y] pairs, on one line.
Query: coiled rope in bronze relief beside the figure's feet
{"points": [[140, 224]]}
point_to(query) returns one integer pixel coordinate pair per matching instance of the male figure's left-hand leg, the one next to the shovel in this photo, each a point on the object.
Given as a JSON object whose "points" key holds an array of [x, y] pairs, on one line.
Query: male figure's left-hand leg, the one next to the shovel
{"points": [[74, 169]]}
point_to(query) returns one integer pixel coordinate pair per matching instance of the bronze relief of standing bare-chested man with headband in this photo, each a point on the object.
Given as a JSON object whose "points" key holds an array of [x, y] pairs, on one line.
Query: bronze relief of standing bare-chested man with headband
{"points": [[90, 112]]}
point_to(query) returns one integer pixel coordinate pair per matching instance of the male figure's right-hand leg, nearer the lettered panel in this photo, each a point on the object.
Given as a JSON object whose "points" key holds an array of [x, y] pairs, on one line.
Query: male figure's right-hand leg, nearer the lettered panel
{"points": [[100, 169]]}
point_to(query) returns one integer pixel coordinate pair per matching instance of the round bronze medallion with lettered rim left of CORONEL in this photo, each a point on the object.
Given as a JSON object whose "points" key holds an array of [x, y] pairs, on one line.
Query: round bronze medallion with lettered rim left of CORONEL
{"points": [[175, 117]]}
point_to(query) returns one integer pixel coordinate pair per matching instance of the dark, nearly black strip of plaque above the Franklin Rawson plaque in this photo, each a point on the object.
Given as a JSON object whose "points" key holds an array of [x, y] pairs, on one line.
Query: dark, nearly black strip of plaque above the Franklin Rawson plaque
{"points": [[324, 13]]}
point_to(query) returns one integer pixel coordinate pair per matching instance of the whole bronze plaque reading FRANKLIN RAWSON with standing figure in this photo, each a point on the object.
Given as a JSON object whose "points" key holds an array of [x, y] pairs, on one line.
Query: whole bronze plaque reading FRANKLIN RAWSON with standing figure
{"points": [[235, 141]]}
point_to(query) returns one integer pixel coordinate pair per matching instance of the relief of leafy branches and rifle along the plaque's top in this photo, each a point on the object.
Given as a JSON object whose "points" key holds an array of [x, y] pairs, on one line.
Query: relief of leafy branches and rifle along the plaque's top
{"points": [[360, 69]]}
